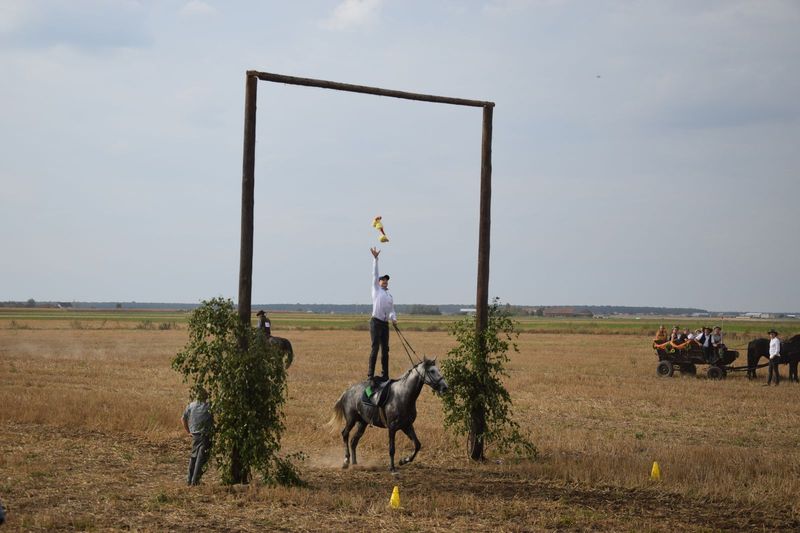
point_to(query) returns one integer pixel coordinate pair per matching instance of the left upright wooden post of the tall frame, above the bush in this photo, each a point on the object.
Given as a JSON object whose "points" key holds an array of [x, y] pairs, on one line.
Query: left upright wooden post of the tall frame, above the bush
{"points": [[248, 189]]}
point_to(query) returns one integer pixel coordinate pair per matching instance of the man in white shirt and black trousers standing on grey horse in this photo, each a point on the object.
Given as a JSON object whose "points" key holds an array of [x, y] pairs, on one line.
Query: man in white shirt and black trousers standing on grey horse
{"points": [[382, 313]]}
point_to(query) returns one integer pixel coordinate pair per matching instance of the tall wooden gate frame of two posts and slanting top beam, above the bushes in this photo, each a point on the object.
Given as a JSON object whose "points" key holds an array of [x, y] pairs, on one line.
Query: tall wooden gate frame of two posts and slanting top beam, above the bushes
{"points": [[248, 181]]}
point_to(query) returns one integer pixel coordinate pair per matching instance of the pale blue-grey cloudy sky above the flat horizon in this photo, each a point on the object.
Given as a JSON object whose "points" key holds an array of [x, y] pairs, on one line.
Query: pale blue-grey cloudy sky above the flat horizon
{"points": [[645, 153]]}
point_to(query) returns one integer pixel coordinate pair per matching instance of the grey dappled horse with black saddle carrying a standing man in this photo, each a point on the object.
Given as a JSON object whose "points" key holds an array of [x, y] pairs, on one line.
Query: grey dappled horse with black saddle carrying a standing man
{"points": [[399, 412]]}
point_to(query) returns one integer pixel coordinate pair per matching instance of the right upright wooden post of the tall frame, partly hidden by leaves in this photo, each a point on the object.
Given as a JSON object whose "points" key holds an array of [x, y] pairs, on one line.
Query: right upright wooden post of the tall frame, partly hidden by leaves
{"points": [[478, 416]]}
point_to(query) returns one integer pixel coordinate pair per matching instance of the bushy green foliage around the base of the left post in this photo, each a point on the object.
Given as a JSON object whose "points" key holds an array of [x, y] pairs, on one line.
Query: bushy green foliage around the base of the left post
{"points": [[245, 379]]}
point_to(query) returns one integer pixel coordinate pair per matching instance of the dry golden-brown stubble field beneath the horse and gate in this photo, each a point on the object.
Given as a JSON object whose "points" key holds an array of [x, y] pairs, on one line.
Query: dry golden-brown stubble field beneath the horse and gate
{"points": [[91, 440]]}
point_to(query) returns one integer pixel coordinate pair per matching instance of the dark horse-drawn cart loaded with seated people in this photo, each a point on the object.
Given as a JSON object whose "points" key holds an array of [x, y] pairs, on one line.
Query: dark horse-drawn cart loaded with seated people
{"points": [[687, 356]]}
